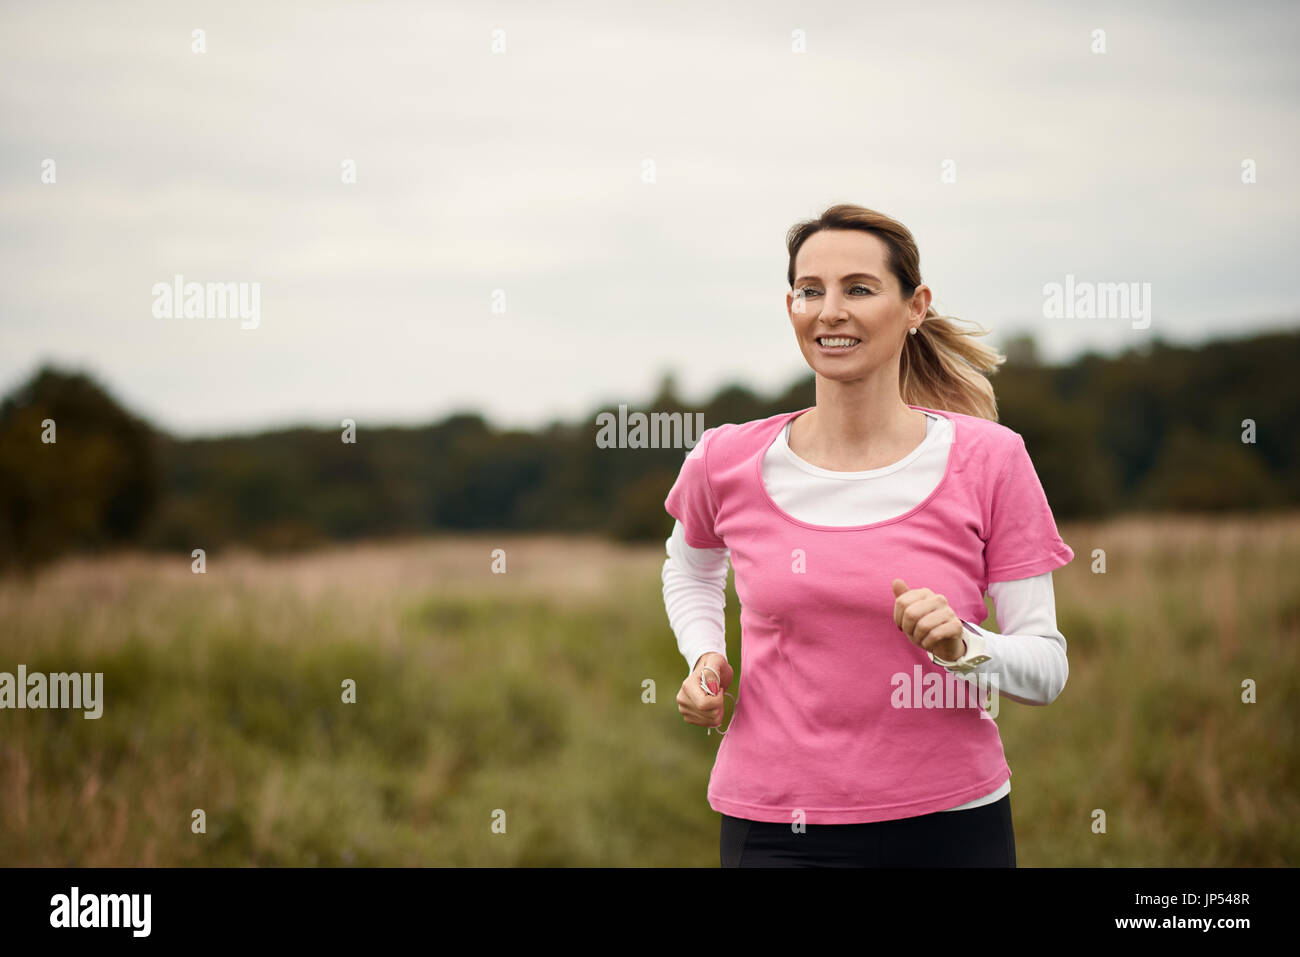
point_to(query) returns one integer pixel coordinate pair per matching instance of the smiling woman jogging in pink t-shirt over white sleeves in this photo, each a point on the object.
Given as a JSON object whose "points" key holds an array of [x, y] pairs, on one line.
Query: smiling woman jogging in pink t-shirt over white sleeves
{"points": [[864, 534]]}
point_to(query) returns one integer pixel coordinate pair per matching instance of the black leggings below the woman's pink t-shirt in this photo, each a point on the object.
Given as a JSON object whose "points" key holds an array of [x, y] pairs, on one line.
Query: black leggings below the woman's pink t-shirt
{"points": [[973, 838]]}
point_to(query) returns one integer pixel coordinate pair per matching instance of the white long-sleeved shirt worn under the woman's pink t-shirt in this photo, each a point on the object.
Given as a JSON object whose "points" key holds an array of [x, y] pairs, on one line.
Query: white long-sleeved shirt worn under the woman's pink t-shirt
{"points": [[1029, 656]]}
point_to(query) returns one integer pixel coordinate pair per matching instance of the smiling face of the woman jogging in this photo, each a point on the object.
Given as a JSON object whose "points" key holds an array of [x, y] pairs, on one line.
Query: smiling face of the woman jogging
{"points": [[843, 291]]}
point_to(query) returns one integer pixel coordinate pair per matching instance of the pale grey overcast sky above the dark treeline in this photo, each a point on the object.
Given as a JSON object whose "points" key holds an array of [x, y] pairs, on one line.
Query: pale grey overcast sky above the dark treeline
{"points": [[525, 172]]}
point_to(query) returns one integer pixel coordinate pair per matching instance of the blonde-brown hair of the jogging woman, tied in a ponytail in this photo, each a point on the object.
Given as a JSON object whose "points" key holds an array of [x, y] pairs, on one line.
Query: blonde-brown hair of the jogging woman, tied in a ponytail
{"points": [[942, 366]]}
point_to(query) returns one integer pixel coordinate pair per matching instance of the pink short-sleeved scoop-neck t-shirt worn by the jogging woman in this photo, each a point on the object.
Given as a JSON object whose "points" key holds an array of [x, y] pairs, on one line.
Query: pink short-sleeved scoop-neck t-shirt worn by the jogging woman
{"points": [[838, 713]]}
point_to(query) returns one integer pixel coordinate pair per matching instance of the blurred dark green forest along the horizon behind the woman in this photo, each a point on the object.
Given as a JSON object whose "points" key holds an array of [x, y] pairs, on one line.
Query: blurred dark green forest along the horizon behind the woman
{"points": [[1154, 430]]}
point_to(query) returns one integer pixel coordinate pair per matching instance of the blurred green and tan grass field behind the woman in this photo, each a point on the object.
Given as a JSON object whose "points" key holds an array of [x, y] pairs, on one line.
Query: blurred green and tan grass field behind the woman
{"points": [[523, 692]]}
